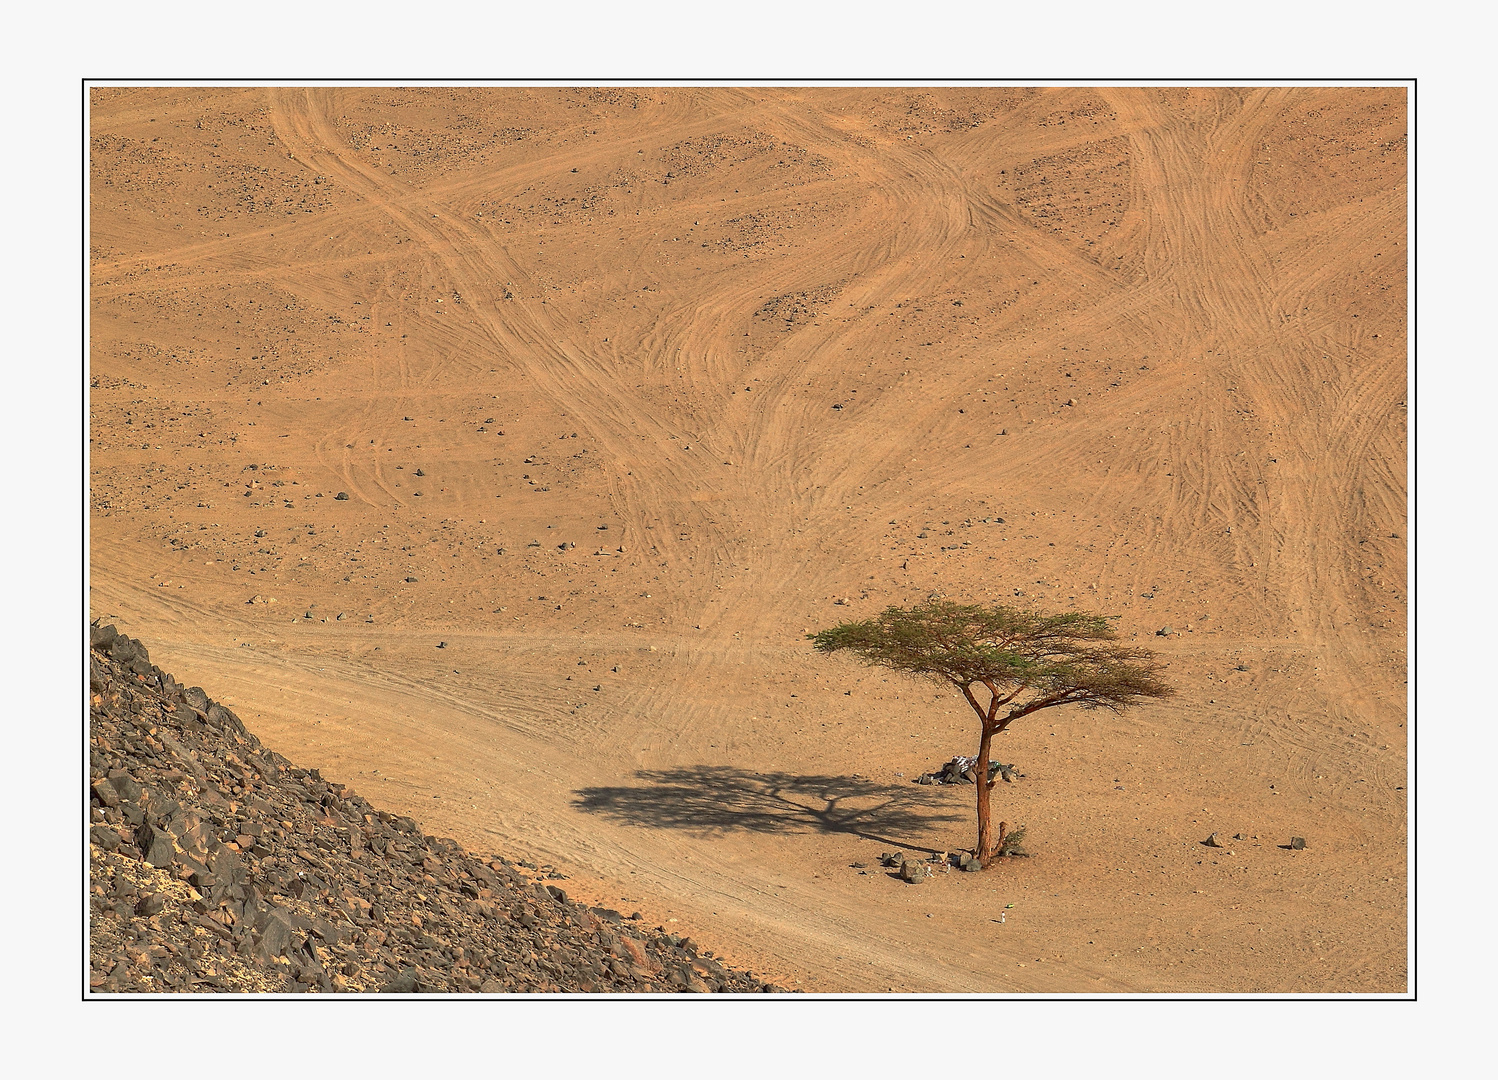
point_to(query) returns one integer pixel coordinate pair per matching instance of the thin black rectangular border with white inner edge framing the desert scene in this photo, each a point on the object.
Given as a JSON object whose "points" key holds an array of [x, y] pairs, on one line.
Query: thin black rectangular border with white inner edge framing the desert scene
{"points": [[1412, 503]]}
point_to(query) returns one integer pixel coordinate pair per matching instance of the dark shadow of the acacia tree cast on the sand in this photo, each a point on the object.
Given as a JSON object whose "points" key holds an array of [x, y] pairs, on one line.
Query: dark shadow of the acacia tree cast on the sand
{"points": [[717, 799]]}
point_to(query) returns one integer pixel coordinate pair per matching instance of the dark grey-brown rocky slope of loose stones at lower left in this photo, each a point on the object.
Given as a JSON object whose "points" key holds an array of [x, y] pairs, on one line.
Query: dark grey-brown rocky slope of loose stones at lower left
{"points": [[216, 867]]}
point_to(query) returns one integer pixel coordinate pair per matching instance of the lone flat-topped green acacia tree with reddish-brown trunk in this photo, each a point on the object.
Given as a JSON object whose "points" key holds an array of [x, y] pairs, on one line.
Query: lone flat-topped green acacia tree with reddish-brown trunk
{"points": [[1024, 661]]}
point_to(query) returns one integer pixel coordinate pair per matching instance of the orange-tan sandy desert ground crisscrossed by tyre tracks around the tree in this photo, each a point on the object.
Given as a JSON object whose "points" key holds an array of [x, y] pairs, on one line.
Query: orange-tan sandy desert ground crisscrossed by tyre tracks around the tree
{"points": [[628, 390]]}
